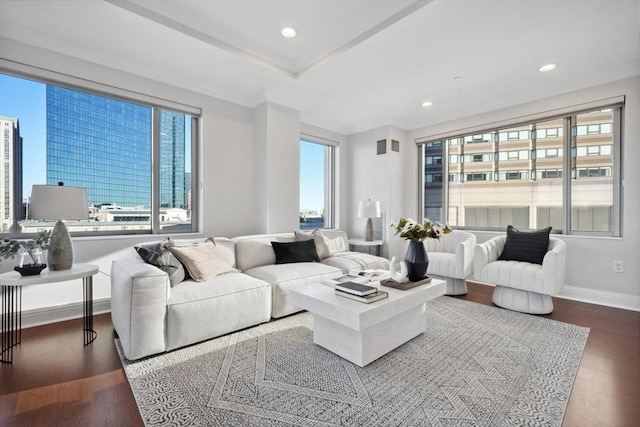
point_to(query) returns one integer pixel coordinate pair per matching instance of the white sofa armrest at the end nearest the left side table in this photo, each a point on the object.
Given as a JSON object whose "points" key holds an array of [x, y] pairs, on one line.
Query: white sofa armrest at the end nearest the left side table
{"points": [[139, 296]]}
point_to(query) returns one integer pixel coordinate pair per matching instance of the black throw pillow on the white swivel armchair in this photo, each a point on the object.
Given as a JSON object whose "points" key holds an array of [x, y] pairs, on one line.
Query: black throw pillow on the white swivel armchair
{"points": [[525, 246]]}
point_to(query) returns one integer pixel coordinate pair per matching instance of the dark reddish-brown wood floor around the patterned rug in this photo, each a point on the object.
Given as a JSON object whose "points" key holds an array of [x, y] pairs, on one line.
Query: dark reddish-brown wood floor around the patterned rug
{"points": [[55, 381]]}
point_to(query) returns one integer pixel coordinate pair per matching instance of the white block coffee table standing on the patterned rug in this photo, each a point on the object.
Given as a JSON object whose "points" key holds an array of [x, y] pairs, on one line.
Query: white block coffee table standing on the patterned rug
{"points": [[359, 332]]}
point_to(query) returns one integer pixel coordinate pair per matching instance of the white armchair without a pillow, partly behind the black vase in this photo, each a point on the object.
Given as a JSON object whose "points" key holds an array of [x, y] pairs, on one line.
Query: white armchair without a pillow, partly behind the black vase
{"points": [[451, 259]]}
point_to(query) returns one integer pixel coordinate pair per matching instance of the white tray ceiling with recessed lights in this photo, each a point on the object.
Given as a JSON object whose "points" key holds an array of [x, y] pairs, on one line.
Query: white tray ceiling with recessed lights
{"points": [[355, 64]]}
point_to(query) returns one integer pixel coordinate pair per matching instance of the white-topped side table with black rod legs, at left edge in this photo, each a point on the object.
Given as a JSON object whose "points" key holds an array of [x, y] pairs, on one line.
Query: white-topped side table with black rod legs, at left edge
{"points": [[11, 312]]}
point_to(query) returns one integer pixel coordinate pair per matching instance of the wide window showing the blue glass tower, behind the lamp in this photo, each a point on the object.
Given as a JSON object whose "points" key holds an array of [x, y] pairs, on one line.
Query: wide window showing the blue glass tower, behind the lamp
{"points": [[134, 159]]}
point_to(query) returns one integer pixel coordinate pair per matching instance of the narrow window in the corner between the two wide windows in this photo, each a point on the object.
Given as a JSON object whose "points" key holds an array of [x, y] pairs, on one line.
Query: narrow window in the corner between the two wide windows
{"points": [[316, 185]]}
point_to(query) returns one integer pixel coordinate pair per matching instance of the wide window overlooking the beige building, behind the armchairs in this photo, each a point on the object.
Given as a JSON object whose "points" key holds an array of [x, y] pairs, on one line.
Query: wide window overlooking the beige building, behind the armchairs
{"points": [[561, 171]]}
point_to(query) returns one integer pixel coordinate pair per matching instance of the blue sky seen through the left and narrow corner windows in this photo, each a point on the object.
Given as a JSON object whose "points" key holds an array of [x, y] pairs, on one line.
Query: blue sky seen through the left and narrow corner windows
{"points": [[26, 100]]}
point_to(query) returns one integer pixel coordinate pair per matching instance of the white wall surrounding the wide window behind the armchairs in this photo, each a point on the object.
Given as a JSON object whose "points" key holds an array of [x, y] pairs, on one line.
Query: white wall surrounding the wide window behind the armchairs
{"points": [[589, 259]]}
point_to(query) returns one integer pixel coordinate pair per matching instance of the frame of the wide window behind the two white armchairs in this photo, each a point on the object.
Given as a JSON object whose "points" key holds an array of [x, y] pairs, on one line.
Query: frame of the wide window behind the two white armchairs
{"points": [[565, 134]]}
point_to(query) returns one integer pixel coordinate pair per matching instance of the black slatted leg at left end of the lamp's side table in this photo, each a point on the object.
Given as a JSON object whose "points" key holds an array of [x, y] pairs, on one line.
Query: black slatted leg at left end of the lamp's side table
{"points": [[11, 321]]}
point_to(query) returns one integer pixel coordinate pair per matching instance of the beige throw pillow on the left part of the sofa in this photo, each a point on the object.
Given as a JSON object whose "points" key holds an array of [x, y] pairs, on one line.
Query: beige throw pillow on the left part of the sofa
{"points": [[202, 260]]}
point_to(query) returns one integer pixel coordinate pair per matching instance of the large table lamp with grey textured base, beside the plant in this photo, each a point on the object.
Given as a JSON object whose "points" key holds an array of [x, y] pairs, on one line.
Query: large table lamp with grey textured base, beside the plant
{"points": [[57, 202]]}
